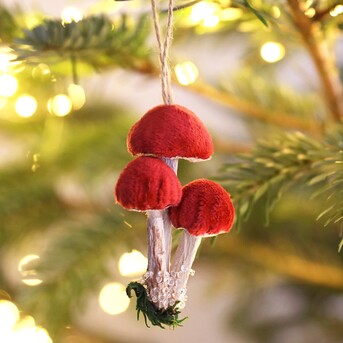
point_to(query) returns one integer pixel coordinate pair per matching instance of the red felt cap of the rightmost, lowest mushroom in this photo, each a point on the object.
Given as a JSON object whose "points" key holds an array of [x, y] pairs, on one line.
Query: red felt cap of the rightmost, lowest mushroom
{"points": [[205, 209]]}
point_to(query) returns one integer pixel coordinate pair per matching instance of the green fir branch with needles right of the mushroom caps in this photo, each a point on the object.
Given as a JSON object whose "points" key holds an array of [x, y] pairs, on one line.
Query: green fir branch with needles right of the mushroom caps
{"points": [[285, 160]]}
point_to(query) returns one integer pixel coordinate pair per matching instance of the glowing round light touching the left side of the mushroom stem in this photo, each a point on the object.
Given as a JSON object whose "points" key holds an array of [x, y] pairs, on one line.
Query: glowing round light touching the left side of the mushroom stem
{"points": [[133, 263]]}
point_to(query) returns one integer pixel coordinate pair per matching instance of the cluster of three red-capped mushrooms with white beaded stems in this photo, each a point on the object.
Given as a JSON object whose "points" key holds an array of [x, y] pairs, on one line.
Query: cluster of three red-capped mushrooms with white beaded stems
{"points": [[149, 183]]}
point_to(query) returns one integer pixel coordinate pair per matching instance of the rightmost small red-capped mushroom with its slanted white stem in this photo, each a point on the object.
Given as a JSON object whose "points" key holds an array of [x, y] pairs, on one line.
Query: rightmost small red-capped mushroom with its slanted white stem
{"points": [[205, 210]]}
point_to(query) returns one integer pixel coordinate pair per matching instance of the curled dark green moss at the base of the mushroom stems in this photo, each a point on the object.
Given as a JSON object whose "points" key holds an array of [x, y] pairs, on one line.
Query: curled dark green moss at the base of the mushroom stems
{"points": [[156, 317]]}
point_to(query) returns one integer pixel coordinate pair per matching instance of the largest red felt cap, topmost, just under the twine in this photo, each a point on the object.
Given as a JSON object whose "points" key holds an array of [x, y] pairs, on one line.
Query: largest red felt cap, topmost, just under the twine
{"points": [[170, 131]]}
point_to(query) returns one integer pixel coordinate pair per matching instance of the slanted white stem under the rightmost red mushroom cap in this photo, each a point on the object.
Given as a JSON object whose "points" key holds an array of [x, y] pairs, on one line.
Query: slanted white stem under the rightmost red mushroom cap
{"points": [[182, 264]]}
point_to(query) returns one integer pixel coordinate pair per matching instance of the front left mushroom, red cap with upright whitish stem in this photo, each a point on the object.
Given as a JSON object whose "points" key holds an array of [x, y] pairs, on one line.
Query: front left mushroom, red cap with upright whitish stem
{"points": [[148, 184]]}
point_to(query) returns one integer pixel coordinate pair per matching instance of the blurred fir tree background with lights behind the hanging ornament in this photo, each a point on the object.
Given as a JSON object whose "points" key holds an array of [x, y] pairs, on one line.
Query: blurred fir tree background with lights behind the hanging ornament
{"points": [[265, 78]]}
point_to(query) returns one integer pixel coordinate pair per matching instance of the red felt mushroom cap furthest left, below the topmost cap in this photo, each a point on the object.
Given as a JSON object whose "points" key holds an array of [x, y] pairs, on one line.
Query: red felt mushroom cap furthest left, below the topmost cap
{"points": [[147, 183]]}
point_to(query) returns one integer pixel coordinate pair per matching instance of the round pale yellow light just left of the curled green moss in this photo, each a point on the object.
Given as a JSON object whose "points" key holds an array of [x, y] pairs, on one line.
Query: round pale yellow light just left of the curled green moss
{"points": [[113, 298]]}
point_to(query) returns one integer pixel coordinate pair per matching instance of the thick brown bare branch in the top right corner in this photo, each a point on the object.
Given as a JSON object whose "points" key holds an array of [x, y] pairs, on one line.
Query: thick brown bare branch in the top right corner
{"points": [[327, 71]]}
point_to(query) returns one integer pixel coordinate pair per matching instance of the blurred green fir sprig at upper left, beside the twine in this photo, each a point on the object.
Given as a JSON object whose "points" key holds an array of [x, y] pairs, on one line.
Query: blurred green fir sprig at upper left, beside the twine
{"points": [[95, 40]]}
